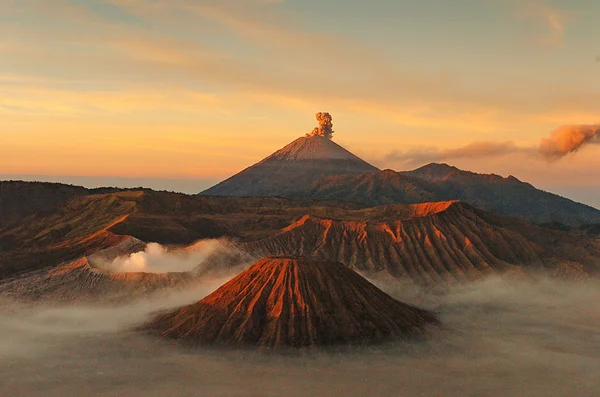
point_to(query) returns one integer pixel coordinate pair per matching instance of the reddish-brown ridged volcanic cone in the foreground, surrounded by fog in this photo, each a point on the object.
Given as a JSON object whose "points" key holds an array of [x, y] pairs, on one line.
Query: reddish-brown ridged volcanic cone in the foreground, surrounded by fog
{"points": [[293, 302]]}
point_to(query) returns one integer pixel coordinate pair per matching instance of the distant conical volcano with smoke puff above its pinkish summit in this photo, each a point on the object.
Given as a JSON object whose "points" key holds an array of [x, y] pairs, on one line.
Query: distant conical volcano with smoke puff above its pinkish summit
{"points": [[295, 167]]}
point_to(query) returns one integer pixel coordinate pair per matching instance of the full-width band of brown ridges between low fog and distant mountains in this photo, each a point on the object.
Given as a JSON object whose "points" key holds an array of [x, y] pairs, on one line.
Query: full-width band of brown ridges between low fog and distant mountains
{"points": [[426, 242]]}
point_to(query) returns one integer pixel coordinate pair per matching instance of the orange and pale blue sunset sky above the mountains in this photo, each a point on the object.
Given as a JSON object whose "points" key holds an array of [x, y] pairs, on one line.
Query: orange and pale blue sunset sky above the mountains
{"points": [[178, 94]]}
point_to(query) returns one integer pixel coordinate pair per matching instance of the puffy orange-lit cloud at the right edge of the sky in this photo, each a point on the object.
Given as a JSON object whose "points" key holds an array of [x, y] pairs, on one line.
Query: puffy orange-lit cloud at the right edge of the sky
{"points": [[568, 139]]}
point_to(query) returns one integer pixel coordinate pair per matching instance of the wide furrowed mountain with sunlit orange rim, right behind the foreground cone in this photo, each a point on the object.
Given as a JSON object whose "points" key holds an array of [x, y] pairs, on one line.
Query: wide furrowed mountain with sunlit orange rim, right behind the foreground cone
{"points": [[455, 242]]}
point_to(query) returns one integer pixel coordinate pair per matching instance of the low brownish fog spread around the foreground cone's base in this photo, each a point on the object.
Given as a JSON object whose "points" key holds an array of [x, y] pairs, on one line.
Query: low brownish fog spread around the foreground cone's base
{"points": [[502, 337]]}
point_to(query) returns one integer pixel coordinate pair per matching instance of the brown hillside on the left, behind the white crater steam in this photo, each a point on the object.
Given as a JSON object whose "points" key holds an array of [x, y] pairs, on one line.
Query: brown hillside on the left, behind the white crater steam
{"points": [[91, 223]]}
